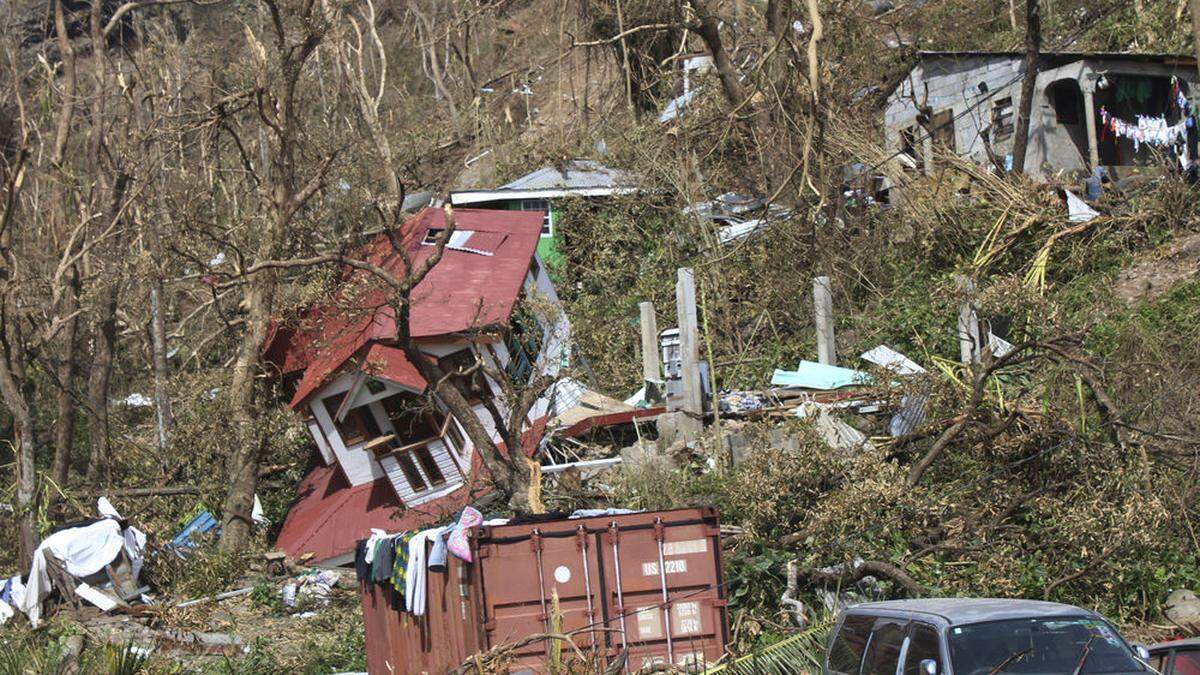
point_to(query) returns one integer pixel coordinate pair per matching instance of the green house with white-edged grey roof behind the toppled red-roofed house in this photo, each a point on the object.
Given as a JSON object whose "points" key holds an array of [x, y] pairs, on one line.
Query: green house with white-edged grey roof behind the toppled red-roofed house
{"points": [[543, 193]]}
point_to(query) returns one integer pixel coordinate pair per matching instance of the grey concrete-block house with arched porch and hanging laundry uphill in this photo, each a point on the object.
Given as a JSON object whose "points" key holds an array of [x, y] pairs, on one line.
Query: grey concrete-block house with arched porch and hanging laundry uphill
{"points": [[1090, 110]]}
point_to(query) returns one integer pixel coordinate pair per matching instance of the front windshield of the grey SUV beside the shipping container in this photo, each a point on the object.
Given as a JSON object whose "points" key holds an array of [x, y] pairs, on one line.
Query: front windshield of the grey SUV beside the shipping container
{"points": [[1041, 647]]}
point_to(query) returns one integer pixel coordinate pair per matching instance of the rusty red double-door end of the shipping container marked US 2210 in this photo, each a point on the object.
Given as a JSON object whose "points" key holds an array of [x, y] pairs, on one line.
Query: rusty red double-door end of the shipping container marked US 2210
{"points": [[649, 583]]}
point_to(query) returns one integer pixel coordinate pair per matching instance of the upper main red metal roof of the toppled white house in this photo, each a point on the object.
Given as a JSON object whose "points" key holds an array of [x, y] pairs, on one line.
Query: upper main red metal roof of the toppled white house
{"points": [[465, 291]]}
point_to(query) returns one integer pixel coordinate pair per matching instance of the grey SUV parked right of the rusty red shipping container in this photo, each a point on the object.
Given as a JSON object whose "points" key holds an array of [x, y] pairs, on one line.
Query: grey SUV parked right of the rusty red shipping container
{"points": [[976, 637]]}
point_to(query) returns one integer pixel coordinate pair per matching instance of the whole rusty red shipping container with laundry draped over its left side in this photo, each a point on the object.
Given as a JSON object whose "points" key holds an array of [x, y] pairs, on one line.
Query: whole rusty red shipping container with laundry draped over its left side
{"points": [[650, 584]]}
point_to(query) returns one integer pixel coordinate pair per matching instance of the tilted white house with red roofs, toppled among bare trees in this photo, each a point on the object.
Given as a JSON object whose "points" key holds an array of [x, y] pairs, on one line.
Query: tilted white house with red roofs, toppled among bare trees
{"points": [[392, 458]]}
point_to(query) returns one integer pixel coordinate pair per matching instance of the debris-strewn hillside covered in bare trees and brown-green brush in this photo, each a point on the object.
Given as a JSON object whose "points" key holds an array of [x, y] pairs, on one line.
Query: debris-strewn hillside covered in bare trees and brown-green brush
{"points": [[184, 182]]}
